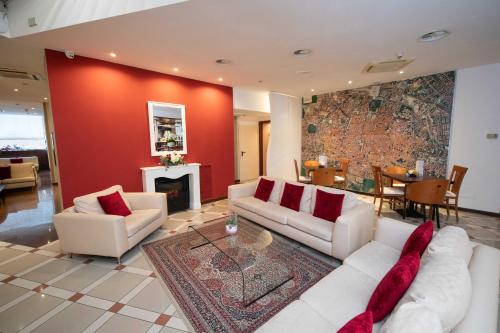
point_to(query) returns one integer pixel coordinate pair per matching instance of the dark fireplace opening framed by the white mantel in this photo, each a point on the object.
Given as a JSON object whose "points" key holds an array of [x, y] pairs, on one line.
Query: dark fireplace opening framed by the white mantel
{"points": [[176, 191]]}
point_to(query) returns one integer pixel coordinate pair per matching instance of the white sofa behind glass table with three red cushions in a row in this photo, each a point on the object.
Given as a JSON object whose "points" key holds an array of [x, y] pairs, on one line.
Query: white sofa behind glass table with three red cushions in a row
{"points": [[353, 228]]}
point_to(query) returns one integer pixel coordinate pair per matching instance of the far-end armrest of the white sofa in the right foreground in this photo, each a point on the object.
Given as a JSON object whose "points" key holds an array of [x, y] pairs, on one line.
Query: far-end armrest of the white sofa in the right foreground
{"points": [[392, 232]]}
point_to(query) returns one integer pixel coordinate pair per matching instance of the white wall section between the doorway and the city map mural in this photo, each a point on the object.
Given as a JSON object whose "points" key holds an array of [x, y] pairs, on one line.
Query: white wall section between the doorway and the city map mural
{"points": [[286, 132]]}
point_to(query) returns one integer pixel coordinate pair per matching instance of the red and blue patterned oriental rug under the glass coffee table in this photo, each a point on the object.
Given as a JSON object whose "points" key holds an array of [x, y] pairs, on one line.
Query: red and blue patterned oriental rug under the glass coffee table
{"points": [[207, 285]]}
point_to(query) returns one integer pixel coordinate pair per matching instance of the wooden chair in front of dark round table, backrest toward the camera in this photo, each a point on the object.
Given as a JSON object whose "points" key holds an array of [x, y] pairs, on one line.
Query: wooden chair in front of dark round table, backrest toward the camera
{"points": [[428, 192]]}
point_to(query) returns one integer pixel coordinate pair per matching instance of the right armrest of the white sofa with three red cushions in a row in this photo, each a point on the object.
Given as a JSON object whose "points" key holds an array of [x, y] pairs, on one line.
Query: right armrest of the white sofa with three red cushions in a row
{"points": [[353, 230]]}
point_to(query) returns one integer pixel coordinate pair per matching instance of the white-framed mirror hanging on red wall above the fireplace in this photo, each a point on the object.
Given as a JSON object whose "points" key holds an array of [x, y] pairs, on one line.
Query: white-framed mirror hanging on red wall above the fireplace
{"points": [[167, 128]]}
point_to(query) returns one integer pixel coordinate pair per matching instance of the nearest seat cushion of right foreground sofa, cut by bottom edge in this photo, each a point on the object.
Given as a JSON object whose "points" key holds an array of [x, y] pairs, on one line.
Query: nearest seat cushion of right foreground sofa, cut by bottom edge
{"points": [[297, 317]]}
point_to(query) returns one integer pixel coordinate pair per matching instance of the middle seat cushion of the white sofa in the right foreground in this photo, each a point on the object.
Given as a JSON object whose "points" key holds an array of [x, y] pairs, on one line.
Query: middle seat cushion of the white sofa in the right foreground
{"points": [[341, 295]]}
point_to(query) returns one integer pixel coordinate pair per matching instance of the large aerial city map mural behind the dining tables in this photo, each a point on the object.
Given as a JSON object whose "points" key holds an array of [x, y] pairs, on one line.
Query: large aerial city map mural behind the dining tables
{"points": [[393, 123]]}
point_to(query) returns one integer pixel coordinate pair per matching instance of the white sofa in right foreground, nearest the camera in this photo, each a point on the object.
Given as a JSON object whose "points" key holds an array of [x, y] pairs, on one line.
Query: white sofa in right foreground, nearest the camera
{"points": [[344, 293]]}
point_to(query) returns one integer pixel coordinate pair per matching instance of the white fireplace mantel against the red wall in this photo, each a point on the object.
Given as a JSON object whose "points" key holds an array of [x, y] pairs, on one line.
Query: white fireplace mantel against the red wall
{"points": [[149, 174]]}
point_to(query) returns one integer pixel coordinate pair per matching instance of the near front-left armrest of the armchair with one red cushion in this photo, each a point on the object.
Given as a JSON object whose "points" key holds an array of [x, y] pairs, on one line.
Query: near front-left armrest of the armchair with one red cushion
{"points": [[94, 234]]}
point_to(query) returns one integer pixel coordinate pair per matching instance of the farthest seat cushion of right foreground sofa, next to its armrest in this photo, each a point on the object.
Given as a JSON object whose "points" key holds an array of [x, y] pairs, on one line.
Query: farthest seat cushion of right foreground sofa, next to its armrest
{"points": [[374, 259]]}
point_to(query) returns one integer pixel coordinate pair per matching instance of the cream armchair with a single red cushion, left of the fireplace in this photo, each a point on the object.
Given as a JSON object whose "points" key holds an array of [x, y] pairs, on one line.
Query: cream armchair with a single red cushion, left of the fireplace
{"points": [[85, 229]]}
